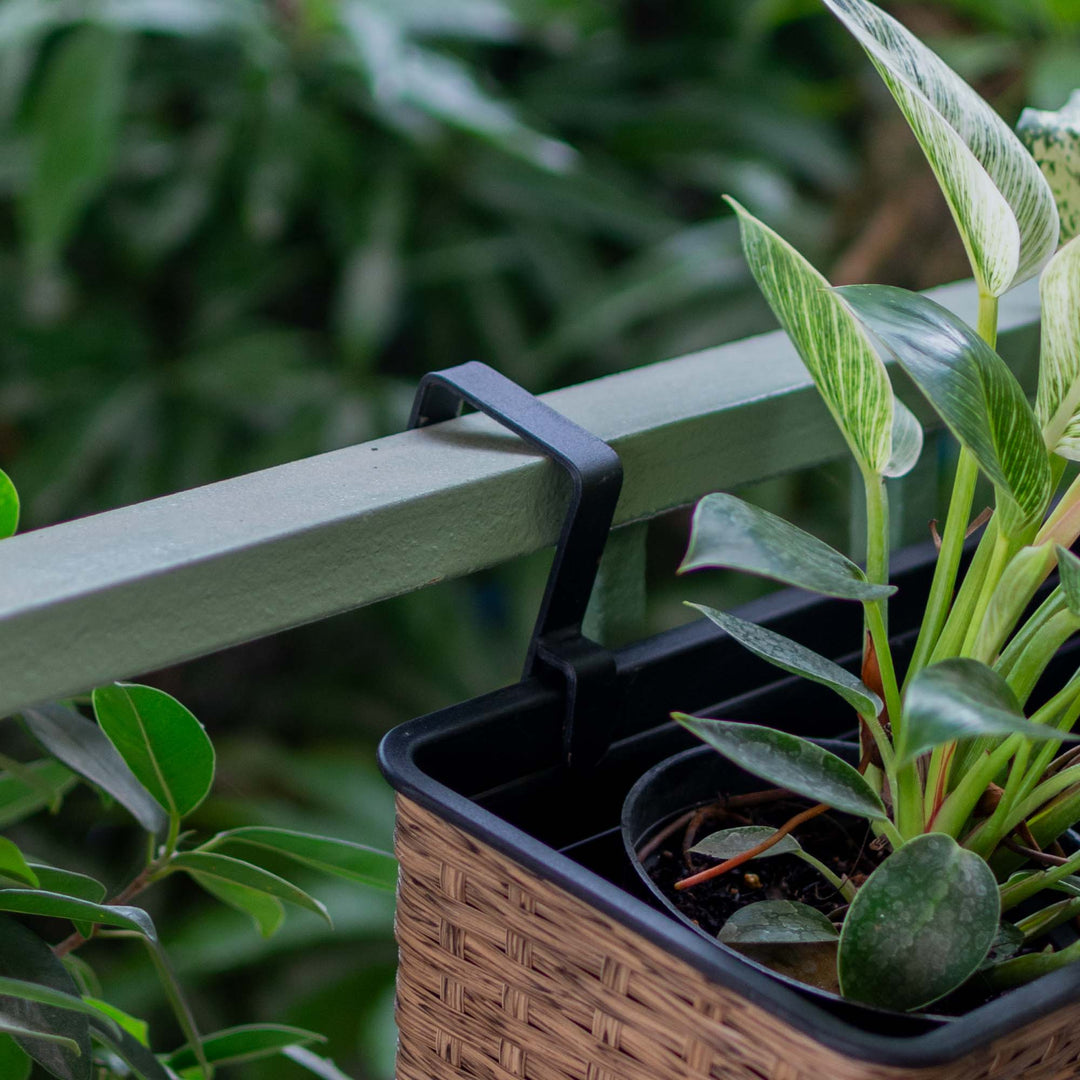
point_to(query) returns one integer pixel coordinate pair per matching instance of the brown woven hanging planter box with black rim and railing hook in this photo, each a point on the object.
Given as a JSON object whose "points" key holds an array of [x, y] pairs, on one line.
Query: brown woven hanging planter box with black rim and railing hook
{"points": [[530, 950]]}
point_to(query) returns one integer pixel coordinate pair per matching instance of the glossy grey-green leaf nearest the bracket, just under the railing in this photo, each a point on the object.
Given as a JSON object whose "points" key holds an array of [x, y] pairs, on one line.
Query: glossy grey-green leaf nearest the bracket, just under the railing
{"points": [[733, 534]]}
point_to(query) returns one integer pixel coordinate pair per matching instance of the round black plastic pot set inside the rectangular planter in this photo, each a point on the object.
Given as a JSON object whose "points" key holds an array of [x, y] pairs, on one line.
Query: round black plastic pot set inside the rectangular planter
{"points": [[694, 779]]}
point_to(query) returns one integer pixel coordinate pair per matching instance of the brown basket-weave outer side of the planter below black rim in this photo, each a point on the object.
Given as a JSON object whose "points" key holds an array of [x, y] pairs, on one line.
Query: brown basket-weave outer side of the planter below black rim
{"points": [[505, 976]]}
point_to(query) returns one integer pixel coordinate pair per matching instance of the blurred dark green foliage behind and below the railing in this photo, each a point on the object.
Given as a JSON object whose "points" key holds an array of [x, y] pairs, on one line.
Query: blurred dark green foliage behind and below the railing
{"points": [[234, 233]]}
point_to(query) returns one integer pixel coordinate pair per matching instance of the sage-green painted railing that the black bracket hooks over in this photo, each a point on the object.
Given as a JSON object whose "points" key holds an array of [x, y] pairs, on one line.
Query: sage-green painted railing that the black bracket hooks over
{"points": [[137, 589]]}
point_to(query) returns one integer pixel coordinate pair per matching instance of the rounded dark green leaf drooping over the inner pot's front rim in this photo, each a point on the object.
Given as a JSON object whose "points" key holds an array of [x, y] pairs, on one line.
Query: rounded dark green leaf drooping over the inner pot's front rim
{"points": [[922, 924]]}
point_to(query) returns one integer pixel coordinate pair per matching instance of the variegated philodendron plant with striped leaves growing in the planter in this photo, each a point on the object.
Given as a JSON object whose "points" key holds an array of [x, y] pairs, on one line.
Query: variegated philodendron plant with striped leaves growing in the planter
{"points": [[968, 788]]}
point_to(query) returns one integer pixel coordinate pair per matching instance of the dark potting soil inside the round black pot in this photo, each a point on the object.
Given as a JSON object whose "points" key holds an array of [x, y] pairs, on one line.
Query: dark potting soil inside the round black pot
{"points": [[842, 842]]}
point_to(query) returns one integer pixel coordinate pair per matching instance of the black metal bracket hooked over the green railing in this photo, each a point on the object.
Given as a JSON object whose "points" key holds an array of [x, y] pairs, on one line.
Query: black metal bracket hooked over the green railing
{"points": [[558, 652]]}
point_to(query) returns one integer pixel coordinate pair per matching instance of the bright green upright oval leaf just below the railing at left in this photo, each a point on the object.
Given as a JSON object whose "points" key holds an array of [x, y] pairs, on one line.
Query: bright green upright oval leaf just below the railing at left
{"points": [[161, 741]]}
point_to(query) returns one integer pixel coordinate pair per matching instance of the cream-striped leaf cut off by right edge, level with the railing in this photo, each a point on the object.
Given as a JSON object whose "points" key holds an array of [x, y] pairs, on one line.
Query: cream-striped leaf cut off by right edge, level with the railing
{"points": [[1058, 404]]}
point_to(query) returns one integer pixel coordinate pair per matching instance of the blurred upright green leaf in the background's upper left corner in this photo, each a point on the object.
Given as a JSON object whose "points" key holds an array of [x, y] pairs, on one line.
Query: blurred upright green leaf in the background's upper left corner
{"points": [[74, 131]]}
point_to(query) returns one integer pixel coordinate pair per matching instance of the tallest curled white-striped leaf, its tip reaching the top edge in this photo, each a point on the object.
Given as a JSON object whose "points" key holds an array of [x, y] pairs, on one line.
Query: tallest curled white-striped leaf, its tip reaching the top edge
{"points": [[1001, 200]]}
